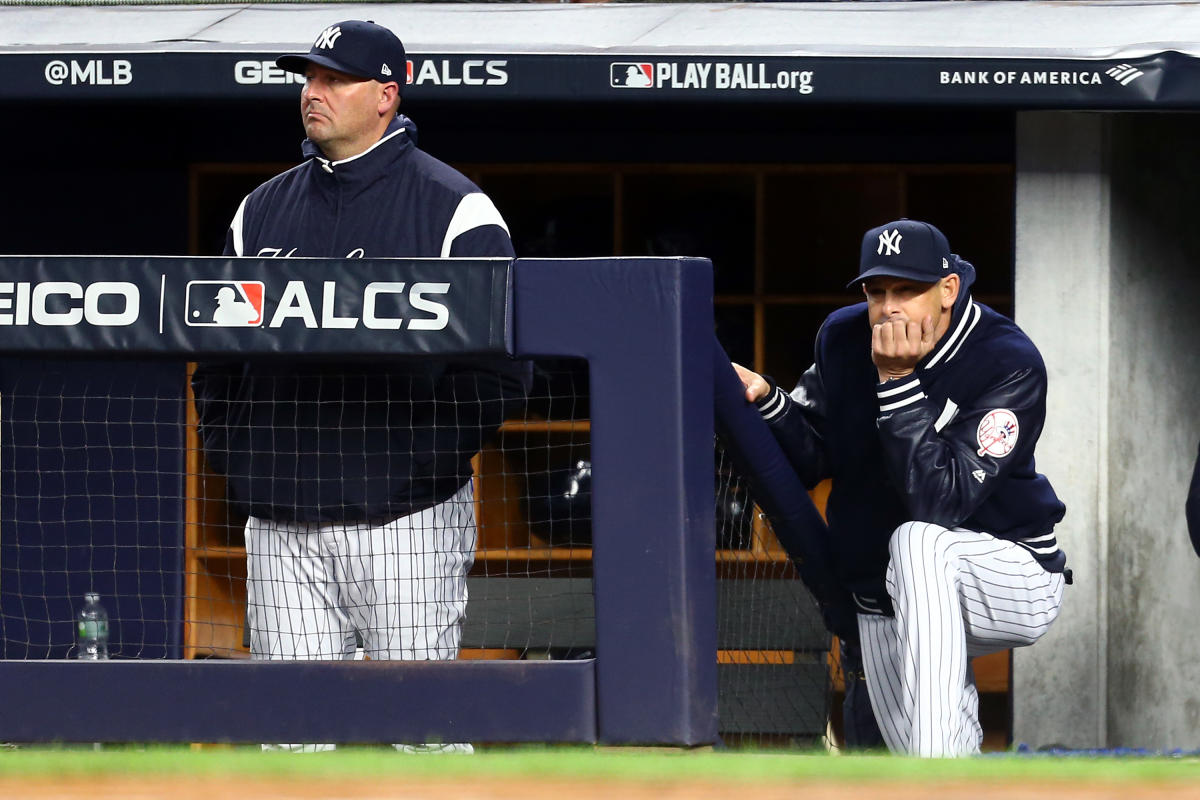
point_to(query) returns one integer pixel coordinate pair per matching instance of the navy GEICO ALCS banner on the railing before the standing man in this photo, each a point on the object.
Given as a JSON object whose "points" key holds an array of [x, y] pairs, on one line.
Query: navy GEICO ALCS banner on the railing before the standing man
{"points": [[254, 306]]}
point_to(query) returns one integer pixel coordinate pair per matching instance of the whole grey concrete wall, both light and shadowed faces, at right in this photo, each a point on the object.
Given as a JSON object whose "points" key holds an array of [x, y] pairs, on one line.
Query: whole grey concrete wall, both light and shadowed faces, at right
{"points": [[1107, 276]]}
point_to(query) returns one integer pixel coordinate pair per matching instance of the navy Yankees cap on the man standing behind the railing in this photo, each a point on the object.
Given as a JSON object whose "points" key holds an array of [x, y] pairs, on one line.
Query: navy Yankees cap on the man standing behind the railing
{"points": [[363, 50]]}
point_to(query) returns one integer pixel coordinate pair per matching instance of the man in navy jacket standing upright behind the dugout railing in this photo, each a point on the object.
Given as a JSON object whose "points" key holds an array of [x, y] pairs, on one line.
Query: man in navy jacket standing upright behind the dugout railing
{"points": [[357, 477]]}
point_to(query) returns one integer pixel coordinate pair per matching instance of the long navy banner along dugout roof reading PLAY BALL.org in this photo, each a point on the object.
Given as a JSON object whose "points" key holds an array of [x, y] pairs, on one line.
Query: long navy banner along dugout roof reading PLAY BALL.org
{"points": [[1167, 80]]}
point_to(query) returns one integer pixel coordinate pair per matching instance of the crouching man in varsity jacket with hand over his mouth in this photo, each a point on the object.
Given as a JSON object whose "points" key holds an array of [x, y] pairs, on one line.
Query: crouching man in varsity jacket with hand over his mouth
{"points": [[925, 408]]}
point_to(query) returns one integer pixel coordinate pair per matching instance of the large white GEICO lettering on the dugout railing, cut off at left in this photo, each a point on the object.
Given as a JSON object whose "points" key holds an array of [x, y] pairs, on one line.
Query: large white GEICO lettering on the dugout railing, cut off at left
{"points": [[65, 303]]}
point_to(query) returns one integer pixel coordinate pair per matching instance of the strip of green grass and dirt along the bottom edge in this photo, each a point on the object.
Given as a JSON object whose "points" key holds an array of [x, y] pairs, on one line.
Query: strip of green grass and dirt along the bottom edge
{"points": [[574, 774]]}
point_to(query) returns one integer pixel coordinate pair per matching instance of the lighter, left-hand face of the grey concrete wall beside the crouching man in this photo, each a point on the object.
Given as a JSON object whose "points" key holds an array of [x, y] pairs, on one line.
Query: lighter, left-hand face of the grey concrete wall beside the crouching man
{"points": [[1061, 300]]}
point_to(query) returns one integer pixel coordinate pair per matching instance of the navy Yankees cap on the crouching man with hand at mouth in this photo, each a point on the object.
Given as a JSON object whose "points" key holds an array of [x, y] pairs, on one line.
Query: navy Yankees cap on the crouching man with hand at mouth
{"points": [[905, 249]]}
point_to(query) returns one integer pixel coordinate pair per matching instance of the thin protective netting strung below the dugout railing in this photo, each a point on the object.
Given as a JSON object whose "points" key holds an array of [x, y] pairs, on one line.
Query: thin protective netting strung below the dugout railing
{"points": [[115, 480]]}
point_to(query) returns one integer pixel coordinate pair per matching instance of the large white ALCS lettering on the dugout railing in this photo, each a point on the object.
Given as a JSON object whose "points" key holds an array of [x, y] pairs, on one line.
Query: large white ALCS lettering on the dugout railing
{"points": [[379, 299]]}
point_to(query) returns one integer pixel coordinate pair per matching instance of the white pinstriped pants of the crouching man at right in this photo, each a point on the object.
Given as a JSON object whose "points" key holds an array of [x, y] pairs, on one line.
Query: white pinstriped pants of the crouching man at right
{"points": [[957, 594]]}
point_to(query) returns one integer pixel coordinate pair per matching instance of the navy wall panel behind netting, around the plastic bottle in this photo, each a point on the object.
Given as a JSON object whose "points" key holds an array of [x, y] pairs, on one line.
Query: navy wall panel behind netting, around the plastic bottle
{"points": [[91, 496]]}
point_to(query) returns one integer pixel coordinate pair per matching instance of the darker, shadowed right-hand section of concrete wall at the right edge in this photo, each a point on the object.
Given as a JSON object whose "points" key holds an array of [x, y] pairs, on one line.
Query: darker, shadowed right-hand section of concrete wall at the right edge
{"points": [[1155, 425]]}
